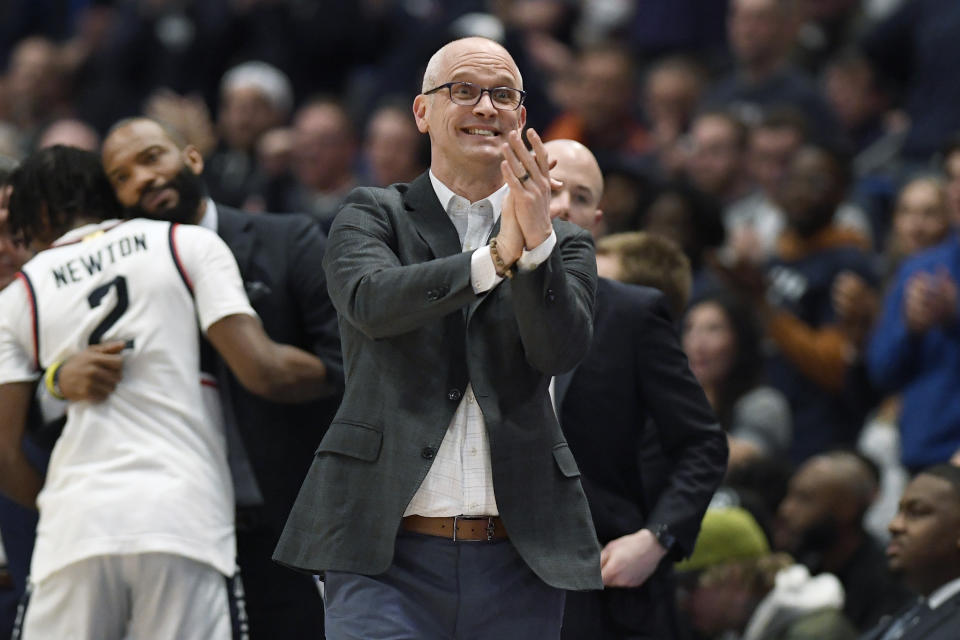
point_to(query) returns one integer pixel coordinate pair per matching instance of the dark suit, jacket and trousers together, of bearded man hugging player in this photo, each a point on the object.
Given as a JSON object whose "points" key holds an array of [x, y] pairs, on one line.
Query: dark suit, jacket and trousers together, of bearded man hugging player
{"points": [[280, 261]]}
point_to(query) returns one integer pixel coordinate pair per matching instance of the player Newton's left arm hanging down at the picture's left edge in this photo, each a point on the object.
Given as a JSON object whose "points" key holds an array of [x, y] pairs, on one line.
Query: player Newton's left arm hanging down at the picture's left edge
{"points": [[19, 481]]}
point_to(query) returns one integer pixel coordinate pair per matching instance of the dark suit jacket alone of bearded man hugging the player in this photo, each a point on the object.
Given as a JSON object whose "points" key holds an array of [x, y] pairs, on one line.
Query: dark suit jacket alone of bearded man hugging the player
{"points": [[280, 259]]}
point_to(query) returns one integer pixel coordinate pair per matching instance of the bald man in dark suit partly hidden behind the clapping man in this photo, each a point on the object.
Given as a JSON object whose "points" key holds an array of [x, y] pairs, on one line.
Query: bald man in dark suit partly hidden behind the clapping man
{"points": [[649, 447]]}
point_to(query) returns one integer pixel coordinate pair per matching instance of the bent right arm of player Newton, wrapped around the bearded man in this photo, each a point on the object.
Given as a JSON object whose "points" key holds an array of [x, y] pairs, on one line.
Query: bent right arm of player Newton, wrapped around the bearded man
{"points": [[277, 372]]}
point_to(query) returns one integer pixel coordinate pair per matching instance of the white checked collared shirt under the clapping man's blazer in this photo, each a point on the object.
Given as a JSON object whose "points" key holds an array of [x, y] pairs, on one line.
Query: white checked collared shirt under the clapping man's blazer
{"points": [[460, 480]]}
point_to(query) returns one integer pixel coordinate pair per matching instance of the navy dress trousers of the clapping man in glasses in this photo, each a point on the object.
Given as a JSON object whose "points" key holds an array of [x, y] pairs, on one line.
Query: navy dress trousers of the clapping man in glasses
{"points": [[438, 589]]}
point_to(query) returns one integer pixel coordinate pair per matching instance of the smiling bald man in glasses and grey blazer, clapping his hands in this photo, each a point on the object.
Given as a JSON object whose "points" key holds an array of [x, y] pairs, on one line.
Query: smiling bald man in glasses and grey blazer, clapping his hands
{"points": [[444, 501]]}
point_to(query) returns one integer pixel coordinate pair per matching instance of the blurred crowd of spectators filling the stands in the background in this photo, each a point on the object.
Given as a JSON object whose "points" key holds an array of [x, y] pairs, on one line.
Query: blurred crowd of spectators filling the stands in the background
{"points": [[802, 153]]}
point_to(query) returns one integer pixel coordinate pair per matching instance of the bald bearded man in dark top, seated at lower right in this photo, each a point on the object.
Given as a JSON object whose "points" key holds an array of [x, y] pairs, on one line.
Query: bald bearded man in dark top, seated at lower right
{"points": [[820, 523]]}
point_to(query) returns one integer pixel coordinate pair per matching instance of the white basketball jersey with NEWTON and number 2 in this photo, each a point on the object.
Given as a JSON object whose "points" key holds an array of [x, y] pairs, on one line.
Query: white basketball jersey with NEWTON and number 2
{"points": [[145, 470]]}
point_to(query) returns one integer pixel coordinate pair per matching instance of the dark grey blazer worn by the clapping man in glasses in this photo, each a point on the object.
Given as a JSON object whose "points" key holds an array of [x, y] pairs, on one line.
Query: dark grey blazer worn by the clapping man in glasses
{"points": [[414, 334]]}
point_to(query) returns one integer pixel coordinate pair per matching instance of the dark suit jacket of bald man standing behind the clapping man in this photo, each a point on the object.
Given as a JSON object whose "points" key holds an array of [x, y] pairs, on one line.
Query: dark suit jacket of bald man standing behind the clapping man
{"points": [[645, 438]]}
